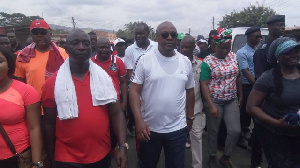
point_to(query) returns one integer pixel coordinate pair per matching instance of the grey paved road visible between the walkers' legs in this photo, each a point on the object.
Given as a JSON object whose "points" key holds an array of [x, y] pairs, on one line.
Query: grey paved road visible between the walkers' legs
{"points": [[240, 158]]}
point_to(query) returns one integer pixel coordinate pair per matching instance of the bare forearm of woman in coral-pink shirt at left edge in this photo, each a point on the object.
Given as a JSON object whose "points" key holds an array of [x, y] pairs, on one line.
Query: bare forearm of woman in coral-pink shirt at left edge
{"points": [[33, 118]]}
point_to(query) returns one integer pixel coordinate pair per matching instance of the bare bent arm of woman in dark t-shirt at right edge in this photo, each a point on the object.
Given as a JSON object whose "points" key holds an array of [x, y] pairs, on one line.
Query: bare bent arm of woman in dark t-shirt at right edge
{"points": [[253, 107]]}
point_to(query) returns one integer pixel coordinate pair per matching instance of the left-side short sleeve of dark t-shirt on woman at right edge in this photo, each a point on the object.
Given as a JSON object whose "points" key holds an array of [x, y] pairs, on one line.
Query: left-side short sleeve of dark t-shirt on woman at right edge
{"points": [[265, 82]]}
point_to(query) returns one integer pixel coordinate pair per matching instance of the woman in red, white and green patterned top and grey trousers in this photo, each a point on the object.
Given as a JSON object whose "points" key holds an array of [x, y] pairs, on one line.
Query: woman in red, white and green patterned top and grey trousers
{"points": [[221, 87]]}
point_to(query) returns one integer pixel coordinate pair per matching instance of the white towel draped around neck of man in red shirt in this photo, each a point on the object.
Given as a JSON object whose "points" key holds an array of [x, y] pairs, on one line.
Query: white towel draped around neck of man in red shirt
{"points": [[102, 90]]}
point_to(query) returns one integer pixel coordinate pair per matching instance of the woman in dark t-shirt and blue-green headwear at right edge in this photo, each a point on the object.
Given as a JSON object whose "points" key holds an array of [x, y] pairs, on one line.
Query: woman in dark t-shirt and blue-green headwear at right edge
{"points": [[274, 102]]}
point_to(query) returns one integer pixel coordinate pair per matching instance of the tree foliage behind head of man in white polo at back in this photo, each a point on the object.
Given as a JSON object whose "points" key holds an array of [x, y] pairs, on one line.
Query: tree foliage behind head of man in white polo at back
{"points": [[128, 30]]}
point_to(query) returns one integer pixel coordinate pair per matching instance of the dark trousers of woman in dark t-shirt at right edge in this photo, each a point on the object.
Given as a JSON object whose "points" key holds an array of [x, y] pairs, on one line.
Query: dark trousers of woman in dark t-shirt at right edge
{"points": [[281, 151]]}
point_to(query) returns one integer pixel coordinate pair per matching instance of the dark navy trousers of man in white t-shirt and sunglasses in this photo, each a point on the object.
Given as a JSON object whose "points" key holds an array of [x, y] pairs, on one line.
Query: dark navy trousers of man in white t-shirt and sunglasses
{"points": [[173, 144]]}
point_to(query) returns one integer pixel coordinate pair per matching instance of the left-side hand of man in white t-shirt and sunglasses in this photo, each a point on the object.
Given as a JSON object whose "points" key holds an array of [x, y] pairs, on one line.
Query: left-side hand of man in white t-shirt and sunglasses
{"points": [[142, 130]]}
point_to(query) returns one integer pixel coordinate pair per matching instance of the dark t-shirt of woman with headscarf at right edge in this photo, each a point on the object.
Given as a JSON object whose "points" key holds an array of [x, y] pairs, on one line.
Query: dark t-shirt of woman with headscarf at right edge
{"points": [[278, 107]]}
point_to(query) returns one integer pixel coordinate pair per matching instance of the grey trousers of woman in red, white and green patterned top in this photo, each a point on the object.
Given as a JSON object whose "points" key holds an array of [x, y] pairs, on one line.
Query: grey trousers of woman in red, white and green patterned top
{"points": [[229, 111]]}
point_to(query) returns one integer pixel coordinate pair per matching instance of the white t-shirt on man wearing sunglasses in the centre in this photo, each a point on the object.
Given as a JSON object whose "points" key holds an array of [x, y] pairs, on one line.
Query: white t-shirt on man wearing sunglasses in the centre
{"points": [[163, 97]]}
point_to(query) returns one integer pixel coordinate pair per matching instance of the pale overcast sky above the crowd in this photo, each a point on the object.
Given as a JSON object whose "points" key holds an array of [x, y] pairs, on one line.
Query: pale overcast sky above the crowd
{"points": [[113, 14]]}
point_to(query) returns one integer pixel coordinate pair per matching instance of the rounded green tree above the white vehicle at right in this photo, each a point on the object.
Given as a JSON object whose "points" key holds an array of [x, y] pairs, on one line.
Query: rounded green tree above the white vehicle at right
{"points": [[248, 17]]}
